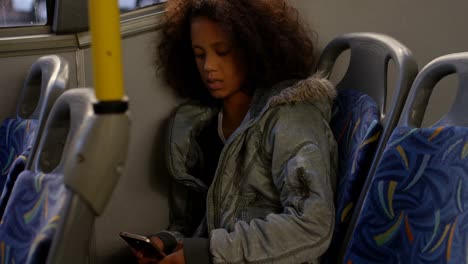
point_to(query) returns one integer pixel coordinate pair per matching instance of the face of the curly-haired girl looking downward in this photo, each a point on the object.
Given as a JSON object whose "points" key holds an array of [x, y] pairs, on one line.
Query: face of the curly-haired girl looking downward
{"points": [[220, 65]]}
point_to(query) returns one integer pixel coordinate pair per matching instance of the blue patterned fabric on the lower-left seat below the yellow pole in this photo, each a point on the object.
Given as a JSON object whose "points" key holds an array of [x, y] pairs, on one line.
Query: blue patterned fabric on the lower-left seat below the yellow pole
{"points": [[31, 217]]}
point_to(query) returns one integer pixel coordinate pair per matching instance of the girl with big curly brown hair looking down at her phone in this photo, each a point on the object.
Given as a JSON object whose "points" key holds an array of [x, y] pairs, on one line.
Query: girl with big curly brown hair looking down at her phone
{"points": [[252, 157]]}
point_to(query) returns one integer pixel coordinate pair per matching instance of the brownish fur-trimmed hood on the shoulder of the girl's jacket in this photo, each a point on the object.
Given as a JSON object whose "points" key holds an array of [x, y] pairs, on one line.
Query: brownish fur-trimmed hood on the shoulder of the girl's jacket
{"points": [[316, 89]]}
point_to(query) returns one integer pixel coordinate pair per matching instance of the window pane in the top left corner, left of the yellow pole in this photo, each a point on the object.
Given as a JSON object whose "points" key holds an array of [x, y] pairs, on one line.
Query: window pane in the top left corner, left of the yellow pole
{"points": [[17, 13]]}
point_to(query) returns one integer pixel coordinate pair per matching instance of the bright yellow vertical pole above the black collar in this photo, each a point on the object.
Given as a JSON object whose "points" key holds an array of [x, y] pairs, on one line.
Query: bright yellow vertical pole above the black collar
{"points": [[104, 17]]}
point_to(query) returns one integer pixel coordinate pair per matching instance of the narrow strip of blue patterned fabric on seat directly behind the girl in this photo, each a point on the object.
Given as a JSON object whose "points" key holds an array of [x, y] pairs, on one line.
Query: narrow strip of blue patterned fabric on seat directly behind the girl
{"points": [[356, 126]]}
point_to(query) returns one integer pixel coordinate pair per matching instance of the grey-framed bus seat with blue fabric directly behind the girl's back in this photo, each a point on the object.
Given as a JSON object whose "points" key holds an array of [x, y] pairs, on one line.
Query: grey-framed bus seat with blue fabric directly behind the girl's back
{"points": [[360, 122]]}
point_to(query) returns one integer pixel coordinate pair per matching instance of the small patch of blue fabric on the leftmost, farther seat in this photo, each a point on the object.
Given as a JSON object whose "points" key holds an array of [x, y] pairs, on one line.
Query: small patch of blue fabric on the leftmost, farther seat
{"points": [[16, 136]]}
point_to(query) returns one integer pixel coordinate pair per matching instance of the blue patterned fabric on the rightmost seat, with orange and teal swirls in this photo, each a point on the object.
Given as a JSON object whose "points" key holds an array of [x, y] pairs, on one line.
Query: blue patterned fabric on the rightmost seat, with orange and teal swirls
{"points": [[416, 209]]}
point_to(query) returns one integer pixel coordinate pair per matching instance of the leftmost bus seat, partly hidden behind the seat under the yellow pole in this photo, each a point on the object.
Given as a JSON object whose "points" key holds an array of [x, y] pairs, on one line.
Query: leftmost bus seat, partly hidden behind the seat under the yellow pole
{"points": [[46, 80]]}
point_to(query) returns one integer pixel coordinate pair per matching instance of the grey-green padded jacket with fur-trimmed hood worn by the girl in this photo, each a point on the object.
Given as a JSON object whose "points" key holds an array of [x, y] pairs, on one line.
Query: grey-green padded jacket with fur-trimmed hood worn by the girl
{"points": [[271, 199]]}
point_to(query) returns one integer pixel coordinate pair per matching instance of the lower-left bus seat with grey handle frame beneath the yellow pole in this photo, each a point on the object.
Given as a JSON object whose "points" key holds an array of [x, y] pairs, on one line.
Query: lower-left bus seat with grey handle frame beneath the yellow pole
{"points": [[50, 215]]}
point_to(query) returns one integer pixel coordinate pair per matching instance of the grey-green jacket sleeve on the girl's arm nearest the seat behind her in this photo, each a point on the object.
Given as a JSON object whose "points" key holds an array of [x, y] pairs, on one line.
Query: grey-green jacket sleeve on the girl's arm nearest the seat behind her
{"points": [[303, 169]]}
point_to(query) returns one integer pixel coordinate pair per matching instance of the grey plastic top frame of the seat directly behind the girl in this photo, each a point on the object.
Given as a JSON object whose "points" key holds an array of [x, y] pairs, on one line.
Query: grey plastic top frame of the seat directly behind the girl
{"points": [[368, 70]]}
